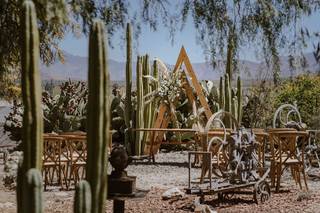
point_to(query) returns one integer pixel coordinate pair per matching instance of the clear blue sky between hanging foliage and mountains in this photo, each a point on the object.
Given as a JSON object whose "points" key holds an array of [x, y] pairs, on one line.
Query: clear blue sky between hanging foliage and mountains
{"points": [[158, 44]]}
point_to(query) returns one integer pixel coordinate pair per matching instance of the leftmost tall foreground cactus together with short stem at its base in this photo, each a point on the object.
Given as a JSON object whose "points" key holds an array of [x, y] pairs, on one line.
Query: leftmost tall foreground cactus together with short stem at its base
{"points": [[29, 182]]}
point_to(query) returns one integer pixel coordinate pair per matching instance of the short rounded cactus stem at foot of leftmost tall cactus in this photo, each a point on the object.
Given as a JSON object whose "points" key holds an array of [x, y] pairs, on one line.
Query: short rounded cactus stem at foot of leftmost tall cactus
{"points": [[33, 190]]}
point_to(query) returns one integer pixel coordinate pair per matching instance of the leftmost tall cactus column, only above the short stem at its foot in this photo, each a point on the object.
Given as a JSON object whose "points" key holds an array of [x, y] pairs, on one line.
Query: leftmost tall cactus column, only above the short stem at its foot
{"points": [[31, 89]]}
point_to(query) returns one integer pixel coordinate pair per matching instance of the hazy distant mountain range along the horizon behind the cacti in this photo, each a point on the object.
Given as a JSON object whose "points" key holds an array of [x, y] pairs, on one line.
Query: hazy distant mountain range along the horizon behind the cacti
{"points": [[76, 68]]}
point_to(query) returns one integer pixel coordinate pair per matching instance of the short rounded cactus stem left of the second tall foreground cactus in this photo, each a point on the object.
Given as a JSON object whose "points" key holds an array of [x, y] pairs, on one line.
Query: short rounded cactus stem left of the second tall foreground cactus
{"points": [[82, 202]]}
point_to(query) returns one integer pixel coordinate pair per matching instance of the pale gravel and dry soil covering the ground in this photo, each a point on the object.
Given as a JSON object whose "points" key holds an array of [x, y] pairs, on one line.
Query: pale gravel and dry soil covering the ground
{"points": [[171, 171]]}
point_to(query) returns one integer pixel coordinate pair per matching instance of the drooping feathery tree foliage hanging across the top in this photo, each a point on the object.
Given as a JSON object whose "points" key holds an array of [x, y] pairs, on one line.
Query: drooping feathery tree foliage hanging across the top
{"points": [[267, 24]]}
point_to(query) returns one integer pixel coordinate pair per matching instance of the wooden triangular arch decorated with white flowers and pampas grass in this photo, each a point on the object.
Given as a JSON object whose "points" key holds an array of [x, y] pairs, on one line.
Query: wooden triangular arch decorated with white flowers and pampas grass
{"points": [[163, 118]]}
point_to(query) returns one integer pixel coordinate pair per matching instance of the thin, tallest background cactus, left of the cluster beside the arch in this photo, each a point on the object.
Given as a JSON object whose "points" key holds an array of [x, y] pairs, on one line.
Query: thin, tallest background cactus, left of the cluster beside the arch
{"points": [[128, 105]]}
